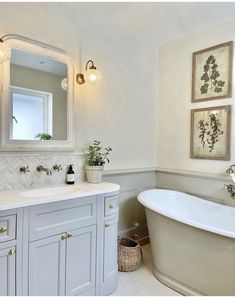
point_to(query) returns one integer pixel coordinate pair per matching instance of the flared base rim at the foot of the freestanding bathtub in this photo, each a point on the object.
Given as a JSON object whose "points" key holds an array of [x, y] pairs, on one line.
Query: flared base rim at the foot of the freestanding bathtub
{"points": [[178, 287]]}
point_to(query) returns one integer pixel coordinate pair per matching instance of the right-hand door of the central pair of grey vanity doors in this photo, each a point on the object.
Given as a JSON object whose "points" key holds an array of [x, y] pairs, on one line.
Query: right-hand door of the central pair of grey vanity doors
{"points": [[80, 260]]}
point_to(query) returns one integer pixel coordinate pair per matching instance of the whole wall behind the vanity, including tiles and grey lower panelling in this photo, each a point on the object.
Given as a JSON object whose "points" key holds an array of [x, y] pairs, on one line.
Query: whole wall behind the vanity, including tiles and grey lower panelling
{"points": [[120, 111]]}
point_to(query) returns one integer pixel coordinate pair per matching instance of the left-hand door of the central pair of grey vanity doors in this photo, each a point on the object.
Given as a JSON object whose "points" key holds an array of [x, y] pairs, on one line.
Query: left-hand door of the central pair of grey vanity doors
{"points": [[47, 266]]}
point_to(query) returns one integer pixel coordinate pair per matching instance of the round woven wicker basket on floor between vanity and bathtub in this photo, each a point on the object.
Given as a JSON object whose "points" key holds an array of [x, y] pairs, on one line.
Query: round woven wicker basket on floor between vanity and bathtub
{"points": [[129, 255]]}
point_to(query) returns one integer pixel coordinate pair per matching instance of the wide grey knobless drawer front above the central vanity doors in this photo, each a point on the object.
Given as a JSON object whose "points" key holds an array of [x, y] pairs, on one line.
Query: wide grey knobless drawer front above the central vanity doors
{"points": [[57, 217]]}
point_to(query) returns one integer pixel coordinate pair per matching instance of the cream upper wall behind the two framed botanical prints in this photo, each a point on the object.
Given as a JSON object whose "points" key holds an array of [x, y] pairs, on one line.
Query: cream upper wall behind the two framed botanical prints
{"points": [[174, 102]]}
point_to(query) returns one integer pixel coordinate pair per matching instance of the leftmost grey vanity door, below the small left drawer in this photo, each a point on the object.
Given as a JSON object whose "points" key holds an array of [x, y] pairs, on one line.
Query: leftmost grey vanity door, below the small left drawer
{"points": [[7, 272]]}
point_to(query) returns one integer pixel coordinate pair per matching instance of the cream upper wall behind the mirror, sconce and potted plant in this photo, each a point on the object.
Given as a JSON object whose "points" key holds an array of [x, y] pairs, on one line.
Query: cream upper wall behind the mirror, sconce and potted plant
{"points": [[116, 110]]}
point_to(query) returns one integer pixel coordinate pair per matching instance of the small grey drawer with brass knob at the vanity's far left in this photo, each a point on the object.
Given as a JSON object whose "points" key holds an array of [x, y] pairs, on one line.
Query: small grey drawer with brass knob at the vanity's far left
{"points": [[7, 228]]}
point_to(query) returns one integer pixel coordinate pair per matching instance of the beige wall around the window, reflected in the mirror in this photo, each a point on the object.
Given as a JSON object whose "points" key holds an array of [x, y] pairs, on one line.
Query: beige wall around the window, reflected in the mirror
{"points": [[46, 82]]}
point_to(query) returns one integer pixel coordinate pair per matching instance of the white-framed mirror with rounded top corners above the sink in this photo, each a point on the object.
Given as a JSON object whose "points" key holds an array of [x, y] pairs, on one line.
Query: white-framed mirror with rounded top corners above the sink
{"points": [[37, 97]]}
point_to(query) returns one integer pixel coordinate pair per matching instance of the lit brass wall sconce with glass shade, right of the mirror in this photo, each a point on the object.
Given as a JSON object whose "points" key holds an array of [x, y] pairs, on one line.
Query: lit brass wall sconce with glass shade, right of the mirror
{"points": [[92, 75]]}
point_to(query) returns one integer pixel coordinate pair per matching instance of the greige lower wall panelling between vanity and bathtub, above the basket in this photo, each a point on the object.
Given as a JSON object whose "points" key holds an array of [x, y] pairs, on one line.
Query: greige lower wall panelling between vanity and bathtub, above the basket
{"points": [[131, 211]]}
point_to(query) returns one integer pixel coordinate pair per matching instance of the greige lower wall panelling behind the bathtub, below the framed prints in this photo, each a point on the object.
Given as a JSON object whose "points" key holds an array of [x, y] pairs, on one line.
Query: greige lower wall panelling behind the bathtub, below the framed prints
{"points": [[208, 188]]}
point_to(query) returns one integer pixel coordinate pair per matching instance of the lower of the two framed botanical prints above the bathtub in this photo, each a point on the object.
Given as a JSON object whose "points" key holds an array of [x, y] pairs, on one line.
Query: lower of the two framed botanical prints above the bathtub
{"points": [[210, 133]]}
